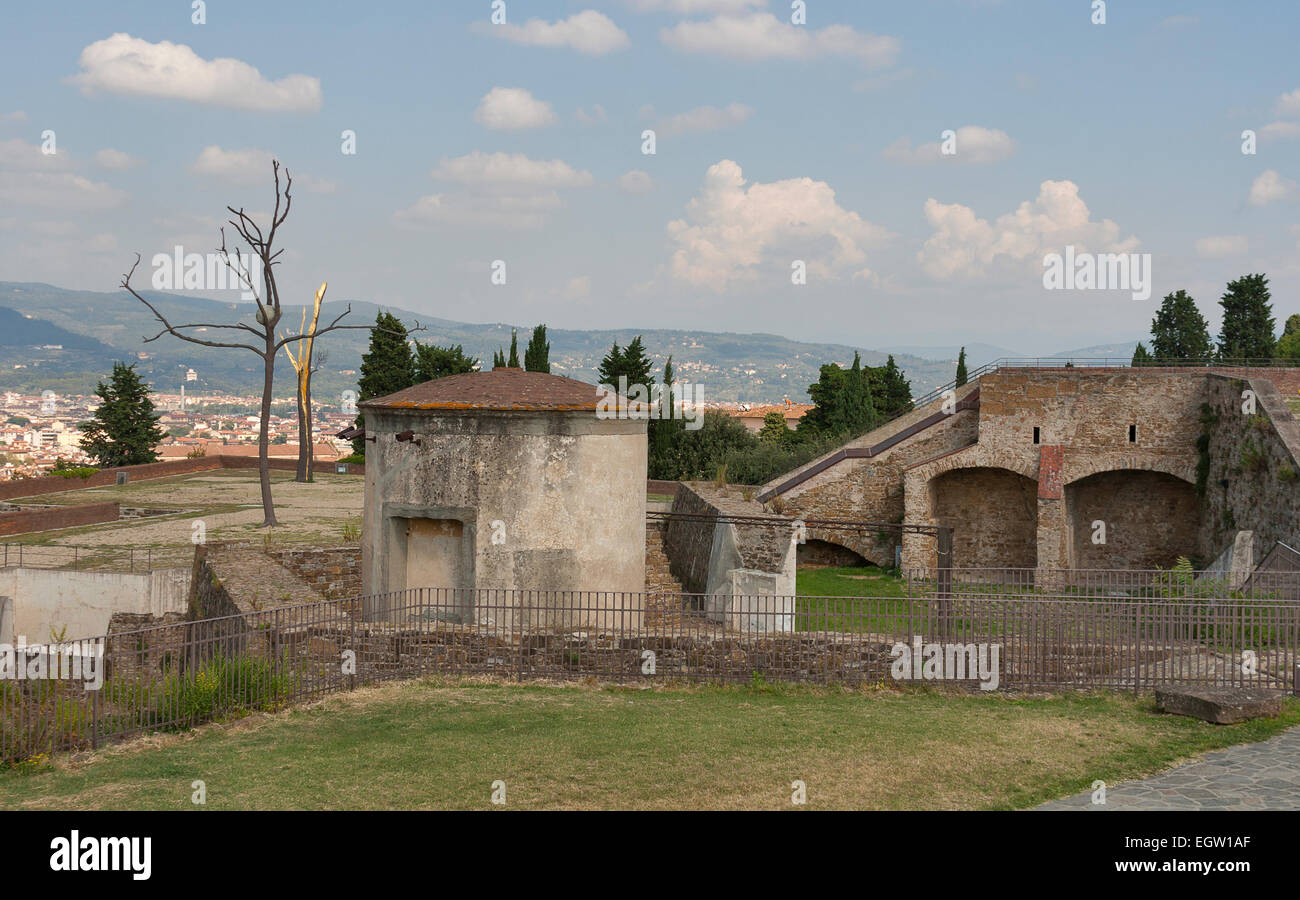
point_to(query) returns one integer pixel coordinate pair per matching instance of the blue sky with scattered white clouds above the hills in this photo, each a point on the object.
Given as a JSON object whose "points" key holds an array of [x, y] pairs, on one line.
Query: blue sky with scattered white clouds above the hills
{"points": [[518, 149]]}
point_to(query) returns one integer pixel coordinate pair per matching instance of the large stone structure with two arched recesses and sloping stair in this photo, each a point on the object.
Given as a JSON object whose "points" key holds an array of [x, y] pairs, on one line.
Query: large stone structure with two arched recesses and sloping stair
{"points": [[1071, 469]]}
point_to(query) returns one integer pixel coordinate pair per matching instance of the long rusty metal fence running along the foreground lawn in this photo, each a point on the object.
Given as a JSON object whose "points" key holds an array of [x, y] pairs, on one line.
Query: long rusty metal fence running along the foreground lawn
{"points": [[179, 676]]}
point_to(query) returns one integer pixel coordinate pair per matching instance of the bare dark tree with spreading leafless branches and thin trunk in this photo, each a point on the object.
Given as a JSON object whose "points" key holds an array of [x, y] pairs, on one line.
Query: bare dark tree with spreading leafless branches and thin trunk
{"points": [[267, 317]]}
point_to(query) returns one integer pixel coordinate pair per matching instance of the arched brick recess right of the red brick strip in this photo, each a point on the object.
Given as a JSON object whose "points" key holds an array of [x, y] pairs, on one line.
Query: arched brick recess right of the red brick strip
{"points": [[1150, 516]]}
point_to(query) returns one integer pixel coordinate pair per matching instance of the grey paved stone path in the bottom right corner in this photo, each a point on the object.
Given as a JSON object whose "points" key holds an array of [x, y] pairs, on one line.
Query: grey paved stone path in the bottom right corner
{"points": [[1264, 776]]}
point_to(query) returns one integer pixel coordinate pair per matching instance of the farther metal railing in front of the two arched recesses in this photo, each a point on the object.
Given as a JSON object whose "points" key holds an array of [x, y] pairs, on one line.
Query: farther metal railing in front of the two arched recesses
{"points": [[1277, 585]]}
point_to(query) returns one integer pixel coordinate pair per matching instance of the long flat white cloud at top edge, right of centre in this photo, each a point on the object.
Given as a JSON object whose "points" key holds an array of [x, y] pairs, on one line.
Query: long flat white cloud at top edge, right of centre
{"points": [[764, 37]]}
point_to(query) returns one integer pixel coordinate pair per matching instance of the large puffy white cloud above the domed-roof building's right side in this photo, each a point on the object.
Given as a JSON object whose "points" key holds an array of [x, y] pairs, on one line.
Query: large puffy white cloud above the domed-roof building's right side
{"points": [[734, 228]]}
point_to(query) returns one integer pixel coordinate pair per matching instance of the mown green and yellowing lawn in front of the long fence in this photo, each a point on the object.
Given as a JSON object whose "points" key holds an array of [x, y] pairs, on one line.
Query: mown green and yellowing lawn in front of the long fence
{"points": [[443, 746]]}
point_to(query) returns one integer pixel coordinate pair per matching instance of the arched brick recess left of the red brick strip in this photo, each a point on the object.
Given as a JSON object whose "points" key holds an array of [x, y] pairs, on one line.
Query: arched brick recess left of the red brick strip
{"points": [[993, 512]]}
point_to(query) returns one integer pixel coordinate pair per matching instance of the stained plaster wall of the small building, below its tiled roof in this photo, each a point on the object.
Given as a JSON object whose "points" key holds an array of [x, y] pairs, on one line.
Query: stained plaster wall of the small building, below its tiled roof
{"points": [[562, 494]]}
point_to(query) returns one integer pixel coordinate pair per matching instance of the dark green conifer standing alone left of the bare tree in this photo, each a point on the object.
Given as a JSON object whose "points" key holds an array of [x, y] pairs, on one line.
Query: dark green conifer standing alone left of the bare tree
{"points": [[124, 430]]}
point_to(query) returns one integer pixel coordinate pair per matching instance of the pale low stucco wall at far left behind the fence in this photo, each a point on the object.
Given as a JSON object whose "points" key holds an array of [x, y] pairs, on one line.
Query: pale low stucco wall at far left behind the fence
{"points": [[84, 603]]}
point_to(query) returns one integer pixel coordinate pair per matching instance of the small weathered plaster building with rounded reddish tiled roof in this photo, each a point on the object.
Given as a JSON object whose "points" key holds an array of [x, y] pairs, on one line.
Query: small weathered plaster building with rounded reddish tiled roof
{"points": [[504, 479]]}
